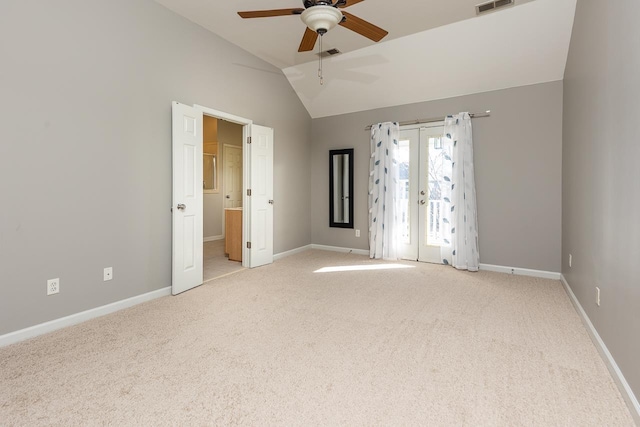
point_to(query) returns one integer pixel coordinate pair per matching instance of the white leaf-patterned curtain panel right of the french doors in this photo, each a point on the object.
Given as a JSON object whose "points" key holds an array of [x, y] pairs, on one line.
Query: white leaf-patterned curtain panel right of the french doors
{"points": [[460, 218]]}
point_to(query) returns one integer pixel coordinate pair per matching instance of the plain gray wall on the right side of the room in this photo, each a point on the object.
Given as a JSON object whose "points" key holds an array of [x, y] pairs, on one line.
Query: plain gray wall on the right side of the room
{"points": [[601, 176]]}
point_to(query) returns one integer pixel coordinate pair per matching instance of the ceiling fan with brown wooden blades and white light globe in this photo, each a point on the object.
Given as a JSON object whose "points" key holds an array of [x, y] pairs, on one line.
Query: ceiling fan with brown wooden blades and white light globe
{"points": [[320, 16]]}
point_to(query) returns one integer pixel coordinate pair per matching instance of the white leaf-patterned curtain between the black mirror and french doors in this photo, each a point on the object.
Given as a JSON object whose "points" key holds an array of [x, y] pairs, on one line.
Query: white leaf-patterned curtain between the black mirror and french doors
{"points": [[383, 182]]}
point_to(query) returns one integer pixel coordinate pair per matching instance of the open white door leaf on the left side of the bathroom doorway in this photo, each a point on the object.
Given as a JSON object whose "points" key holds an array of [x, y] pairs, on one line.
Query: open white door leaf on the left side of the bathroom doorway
{"points": [[187, 215]]}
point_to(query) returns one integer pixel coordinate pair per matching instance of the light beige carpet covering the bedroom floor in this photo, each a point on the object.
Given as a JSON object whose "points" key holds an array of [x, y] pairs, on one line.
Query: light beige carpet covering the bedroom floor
{"points": [[282, 345]]}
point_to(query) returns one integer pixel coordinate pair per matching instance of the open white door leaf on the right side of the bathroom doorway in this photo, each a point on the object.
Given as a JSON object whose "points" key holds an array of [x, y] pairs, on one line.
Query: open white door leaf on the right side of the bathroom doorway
{"points": [[261, 199]]}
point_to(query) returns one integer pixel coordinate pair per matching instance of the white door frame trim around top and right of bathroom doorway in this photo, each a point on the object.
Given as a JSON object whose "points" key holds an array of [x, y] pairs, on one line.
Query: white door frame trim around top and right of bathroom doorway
{"points": [[246, 170]]}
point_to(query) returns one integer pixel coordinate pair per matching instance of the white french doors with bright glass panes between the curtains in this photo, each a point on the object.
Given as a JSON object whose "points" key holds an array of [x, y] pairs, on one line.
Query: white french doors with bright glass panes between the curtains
{"points": [[420, 196]]}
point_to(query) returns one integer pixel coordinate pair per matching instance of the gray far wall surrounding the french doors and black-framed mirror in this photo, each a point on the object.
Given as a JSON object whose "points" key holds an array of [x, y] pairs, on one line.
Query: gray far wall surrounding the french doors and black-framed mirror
{"points": [[517, 162]]}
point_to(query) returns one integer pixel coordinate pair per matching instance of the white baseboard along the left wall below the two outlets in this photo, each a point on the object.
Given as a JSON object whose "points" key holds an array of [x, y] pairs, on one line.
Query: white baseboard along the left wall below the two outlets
{"points": [[73, 319]]}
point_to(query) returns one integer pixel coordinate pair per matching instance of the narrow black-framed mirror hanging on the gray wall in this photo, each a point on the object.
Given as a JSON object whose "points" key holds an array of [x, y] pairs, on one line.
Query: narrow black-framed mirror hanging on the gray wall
{"points": [[341, 188]]}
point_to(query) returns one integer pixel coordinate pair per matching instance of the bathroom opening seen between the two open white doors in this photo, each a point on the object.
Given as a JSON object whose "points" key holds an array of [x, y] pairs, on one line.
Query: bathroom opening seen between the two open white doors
{"points": [[222, 198]]}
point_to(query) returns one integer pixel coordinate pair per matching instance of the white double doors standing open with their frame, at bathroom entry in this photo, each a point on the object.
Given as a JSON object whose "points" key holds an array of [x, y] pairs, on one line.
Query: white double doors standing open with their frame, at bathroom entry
{"points": [[187, 194]]}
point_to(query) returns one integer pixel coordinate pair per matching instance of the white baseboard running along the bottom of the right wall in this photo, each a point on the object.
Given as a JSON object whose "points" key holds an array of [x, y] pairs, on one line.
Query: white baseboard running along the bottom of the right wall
{"points": [[618, 377]]}
